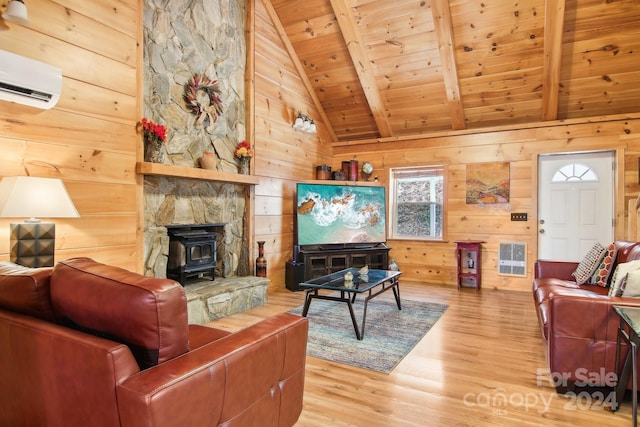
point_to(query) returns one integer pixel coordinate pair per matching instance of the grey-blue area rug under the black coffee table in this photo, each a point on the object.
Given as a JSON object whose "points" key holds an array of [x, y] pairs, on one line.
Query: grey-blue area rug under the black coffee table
{"points": [[389, 333]]}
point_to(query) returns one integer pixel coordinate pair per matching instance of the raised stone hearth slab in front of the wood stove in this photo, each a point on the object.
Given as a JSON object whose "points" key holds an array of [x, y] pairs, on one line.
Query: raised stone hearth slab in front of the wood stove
{"points": [[209, 300]]}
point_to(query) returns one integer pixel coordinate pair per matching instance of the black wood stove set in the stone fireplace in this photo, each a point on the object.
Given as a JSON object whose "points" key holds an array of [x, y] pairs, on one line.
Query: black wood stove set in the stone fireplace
{"points": [[192, 251]]}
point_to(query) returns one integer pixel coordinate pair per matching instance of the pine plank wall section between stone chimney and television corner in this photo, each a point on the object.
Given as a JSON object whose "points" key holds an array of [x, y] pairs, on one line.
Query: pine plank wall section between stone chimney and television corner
{"points": [[283, 156]]}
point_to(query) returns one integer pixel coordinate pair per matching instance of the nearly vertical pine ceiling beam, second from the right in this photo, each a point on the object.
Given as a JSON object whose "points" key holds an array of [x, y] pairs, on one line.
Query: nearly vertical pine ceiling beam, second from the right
{"points": [[444, 35]]}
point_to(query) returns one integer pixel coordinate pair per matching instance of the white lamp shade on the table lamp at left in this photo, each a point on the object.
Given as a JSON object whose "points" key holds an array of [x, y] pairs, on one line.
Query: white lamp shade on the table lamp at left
{"points": [[32, 197]]}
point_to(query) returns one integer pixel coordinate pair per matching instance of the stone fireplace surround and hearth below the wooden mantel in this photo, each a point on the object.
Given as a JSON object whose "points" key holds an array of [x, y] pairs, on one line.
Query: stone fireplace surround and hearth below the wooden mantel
{"points": [[176, 201]]}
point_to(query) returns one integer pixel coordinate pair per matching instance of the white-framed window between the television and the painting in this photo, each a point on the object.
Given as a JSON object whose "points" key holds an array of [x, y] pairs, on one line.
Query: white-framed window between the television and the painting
{"points": [[417, 203]]}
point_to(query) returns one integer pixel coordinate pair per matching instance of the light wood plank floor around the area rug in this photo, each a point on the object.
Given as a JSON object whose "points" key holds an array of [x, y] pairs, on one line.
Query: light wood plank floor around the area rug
{"points": [[482, 364]]}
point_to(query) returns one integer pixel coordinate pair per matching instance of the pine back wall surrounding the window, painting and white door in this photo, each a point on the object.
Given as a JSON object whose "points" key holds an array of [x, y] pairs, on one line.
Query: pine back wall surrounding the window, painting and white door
{"points": [[434, 262]]}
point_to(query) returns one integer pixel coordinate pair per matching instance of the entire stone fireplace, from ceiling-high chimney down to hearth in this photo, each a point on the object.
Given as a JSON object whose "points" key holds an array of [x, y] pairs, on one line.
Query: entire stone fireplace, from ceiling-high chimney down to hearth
{"points": [[182, 39]]}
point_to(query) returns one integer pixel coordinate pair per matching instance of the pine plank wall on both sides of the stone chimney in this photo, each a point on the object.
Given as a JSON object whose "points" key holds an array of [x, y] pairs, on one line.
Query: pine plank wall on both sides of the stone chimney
{"points": [[89, 138]]}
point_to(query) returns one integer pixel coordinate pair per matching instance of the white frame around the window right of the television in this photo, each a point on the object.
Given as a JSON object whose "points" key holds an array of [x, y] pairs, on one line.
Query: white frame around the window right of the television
{"points": [[409, 172]]}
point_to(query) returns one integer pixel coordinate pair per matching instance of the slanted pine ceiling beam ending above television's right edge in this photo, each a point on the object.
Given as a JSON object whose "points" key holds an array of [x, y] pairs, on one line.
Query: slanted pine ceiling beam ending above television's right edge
{"points": [[362, 65]]}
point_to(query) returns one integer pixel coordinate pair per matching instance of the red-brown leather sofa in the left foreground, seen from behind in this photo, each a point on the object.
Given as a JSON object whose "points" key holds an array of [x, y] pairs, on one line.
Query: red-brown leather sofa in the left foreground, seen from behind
{"points": [[87, 344]]}
